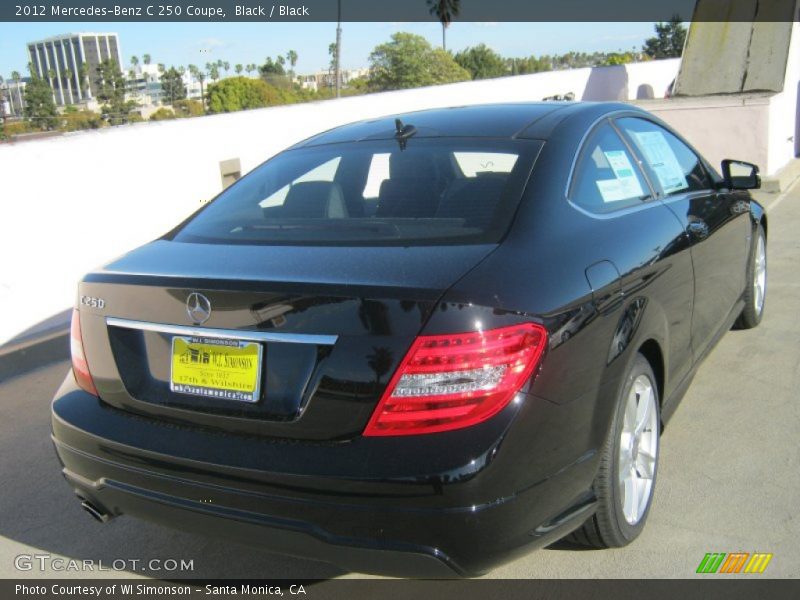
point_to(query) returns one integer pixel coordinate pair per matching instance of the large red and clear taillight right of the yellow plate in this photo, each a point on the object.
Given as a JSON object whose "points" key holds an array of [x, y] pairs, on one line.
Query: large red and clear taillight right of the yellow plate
{"points": [[453, 381]]}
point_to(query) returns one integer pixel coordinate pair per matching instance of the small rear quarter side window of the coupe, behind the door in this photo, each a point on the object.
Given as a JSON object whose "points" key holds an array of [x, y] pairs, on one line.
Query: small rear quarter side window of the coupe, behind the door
{"points": [[606, 177]]}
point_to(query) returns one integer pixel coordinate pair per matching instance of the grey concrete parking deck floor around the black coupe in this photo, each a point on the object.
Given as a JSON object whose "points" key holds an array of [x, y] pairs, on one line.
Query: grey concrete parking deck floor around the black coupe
{"points": [[729, 476]]}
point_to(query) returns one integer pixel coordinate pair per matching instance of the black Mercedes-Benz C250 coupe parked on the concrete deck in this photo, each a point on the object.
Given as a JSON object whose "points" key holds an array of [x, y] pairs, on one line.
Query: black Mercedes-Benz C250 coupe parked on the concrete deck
{"points": [[419, 345]]}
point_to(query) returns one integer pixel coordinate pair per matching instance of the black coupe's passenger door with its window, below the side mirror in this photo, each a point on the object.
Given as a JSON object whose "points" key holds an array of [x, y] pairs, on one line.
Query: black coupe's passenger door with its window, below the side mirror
{"points": [[716, 222]]}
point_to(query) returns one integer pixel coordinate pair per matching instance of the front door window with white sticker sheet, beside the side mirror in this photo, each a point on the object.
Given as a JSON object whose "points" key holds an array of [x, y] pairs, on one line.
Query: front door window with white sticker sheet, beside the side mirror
{"points": [[675, 166]]}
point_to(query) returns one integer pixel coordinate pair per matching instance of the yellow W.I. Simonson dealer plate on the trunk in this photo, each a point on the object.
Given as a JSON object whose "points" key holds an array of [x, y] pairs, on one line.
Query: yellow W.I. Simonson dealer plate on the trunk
{"points": [[216, 368]]}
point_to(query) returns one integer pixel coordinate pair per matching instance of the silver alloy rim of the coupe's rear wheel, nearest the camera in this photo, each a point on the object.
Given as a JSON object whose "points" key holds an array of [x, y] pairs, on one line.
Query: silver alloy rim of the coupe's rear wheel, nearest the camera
{"points": [[638, 449]]}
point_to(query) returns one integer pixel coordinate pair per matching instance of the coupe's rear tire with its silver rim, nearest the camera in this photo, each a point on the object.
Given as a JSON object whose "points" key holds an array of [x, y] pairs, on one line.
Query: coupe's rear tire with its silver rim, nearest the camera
{"points": [[626, 478]]}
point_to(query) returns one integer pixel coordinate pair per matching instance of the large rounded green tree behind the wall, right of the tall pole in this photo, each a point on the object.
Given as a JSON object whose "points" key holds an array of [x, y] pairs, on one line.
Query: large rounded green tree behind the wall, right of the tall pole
{"points": [[409, 61]]}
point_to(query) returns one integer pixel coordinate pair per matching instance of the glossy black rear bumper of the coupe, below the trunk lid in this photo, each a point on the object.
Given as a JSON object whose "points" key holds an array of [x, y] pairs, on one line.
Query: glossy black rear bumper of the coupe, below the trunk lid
{"points": [[203, 481]]}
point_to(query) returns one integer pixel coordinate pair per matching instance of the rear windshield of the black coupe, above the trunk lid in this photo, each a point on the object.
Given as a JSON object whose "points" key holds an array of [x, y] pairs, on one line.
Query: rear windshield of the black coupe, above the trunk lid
{"points": [[434, 191]]}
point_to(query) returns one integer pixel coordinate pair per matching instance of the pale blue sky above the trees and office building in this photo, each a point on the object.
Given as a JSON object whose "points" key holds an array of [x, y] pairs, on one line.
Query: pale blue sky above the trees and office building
{"points": [[199, 43]]}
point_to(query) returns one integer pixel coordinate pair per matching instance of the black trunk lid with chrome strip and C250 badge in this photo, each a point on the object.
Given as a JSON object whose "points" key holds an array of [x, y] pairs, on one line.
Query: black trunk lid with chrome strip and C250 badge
{"points": [[333, 324]]}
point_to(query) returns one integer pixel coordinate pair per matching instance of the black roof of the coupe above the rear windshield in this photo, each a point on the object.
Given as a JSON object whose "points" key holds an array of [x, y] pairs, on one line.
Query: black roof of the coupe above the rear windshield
{"points": [[531, 120]]}
